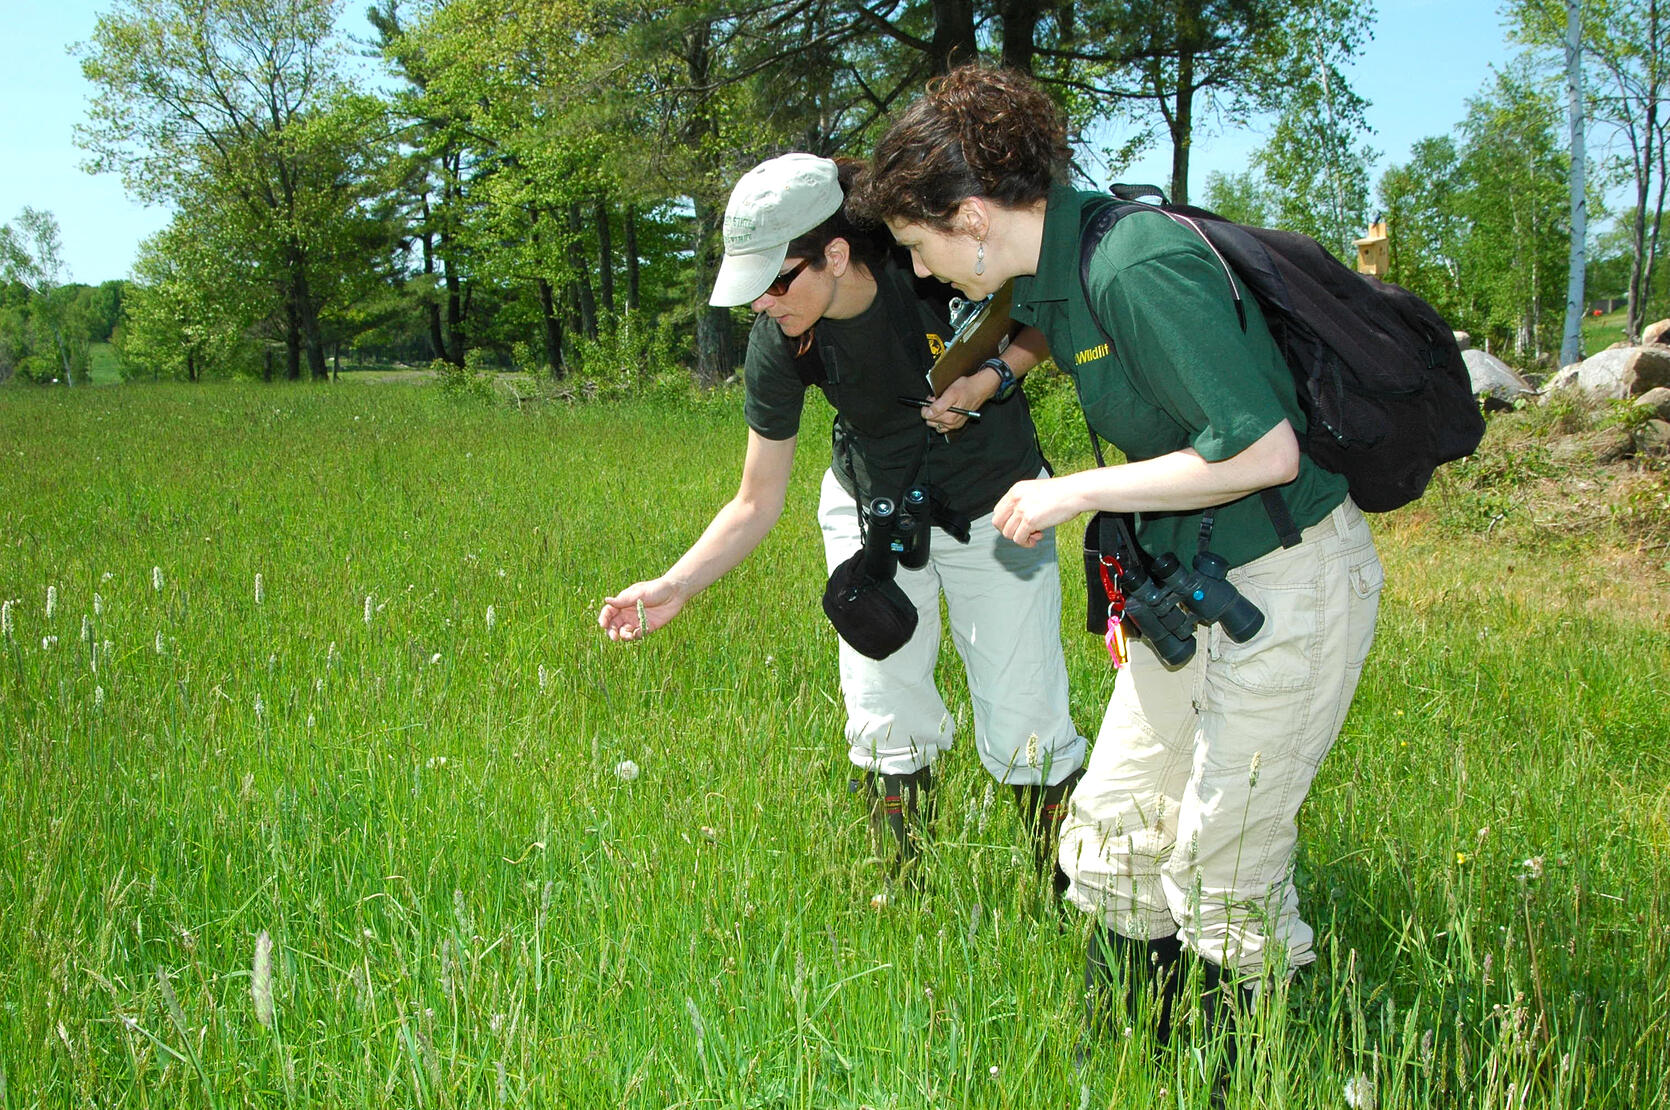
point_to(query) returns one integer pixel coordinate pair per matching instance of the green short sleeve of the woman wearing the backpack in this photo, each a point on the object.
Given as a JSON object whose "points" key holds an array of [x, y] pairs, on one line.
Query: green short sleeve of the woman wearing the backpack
{"points": [[1183, 341]]}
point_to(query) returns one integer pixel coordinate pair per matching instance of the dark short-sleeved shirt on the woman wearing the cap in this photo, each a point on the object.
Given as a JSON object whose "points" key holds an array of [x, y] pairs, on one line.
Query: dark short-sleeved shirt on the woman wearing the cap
{"points": [[881, 445]]}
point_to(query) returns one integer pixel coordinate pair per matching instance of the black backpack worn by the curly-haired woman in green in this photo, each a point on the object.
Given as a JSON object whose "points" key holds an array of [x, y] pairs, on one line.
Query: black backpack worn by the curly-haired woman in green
{"points": [[1379, 371]]}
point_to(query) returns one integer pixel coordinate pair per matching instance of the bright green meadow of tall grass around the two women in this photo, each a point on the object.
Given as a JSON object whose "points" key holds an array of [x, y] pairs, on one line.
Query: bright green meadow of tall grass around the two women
{"points": [[316, 794]]}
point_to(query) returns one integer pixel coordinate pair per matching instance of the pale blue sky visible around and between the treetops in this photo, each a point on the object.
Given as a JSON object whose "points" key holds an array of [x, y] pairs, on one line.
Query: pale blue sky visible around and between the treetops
{"points": [[1427, 59]]}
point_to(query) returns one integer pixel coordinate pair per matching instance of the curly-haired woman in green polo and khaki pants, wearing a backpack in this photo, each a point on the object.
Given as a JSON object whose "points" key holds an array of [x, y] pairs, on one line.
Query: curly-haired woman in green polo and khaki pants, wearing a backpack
{"points": [[1182, 837]]}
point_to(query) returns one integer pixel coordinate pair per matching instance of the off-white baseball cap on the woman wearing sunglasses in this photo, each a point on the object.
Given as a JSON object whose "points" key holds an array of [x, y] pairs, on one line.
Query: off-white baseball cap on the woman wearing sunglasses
{"points": [[772, 206]]}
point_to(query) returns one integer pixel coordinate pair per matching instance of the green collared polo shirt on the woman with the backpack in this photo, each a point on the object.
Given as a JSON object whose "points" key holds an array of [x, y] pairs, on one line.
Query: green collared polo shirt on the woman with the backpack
{"points": [[1178, 373]]}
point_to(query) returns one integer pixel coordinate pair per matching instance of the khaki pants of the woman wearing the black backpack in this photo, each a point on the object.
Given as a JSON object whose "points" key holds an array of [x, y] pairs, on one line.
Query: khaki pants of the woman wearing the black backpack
{"points": [[1185, 820]]}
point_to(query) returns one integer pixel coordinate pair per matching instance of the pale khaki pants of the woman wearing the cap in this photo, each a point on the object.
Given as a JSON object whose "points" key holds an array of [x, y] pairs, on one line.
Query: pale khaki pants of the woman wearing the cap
{"points": [[1005, 607]]}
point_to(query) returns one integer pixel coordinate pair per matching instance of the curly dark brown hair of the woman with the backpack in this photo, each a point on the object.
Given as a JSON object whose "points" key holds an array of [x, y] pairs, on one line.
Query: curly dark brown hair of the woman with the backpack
{"points": [[976, 133]]}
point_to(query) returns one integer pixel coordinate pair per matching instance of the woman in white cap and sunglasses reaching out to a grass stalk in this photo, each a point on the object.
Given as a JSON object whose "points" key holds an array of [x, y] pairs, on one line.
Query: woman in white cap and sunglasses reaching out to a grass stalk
{"points": [[834, 311]]}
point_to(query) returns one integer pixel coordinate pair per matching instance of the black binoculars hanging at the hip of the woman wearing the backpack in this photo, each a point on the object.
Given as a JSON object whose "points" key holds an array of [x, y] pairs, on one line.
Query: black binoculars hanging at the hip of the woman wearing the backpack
{"points": [[1168, 605]]}
